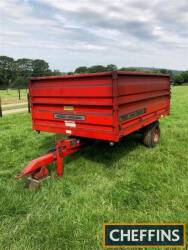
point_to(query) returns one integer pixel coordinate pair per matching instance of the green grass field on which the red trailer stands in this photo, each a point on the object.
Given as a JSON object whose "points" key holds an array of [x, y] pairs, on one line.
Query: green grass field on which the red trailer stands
{"points": [[126, 183]]}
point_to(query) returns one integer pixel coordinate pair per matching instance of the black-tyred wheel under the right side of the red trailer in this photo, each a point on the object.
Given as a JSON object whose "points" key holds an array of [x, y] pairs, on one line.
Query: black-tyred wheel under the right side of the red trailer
{"points": [[151, 135]]}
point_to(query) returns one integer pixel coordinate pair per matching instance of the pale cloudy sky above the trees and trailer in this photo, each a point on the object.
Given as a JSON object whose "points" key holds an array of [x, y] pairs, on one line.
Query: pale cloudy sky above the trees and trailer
{"points": [[68, 34]]}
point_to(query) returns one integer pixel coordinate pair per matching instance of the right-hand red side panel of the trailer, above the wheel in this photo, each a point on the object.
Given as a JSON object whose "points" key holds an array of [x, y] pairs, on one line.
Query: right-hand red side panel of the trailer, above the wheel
{"points": [[142, 99]]}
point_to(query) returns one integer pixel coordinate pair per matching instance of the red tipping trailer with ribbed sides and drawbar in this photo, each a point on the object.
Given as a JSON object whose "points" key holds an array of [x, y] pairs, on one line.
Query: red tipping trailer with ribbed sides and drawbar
{"points": [[102, 106]]}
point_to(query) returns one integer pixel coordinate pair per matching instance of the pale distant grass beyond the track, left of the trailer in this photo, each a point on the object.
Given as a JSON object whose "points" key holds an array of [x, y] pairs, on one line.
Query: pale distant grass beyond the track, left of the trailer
{"points": [[11, 96]]}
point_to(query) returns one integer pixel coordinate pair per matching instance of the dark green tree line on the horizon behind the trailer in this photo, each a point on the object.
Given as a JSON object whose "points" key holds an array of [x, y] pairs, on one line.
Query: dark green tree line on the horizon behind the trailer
{"points": [[16, 73]]}
